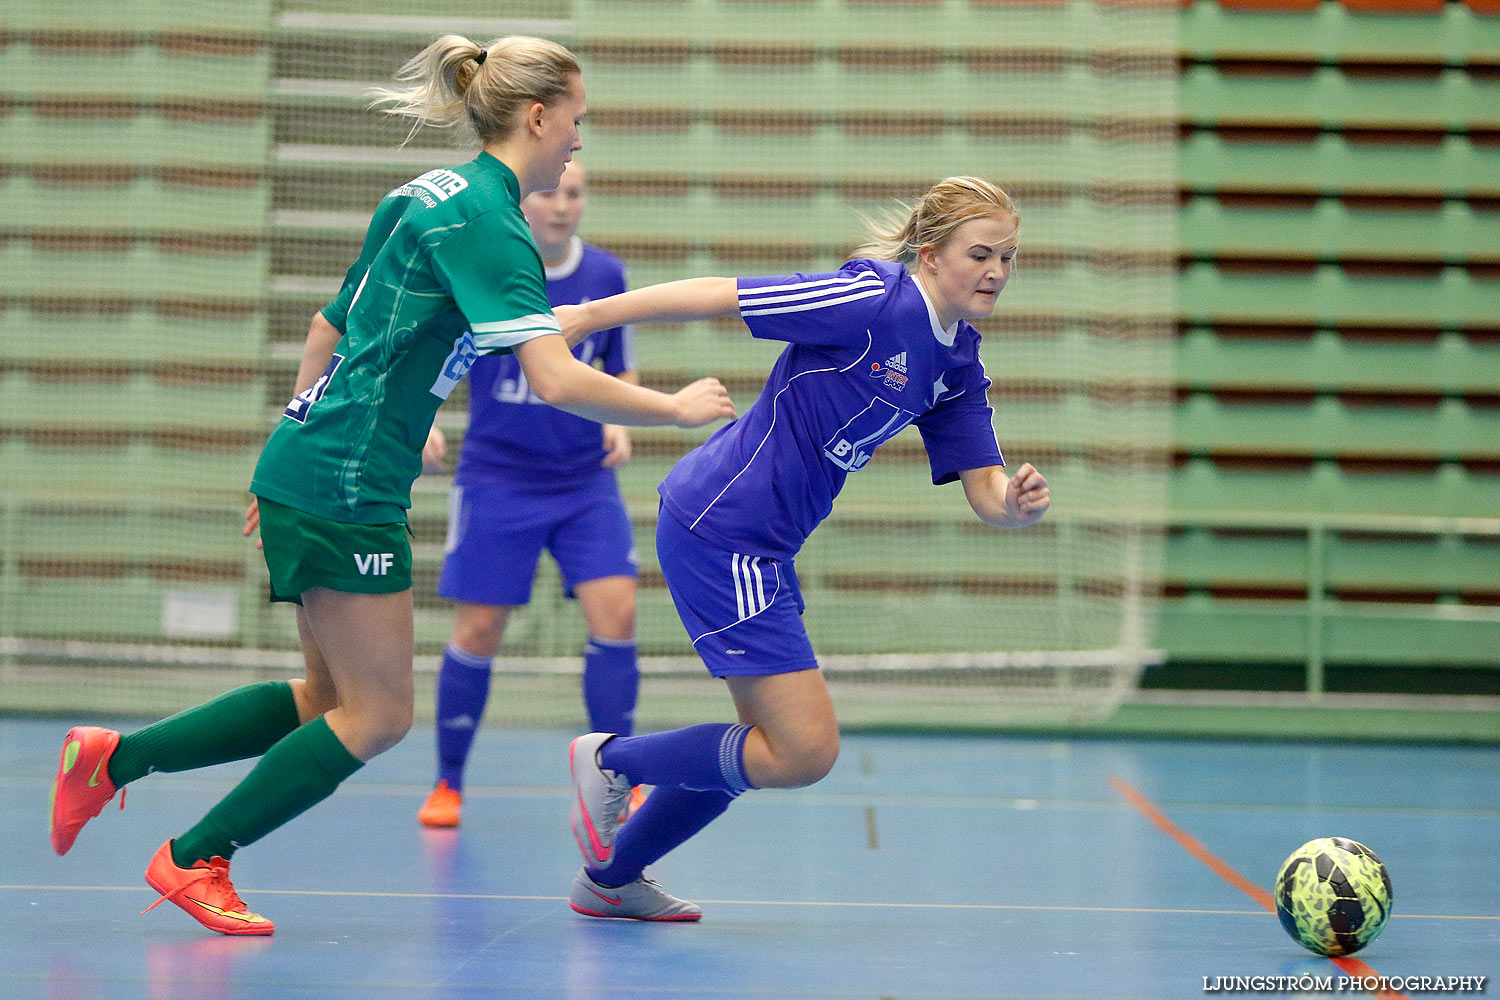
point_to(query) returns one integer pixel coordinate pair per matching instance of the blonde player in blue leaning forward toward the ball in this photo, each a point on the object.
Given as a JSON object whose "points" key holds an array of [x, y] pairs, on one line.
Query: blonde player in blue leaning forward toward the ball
{"points": [[875, 347]]}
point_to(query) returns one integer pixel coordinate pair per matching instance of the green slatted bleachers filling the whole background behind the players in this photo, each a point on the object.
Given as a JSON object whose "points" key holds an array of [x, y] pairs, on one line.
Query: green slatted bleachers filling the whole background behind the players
{"points": [[1336, 446]]}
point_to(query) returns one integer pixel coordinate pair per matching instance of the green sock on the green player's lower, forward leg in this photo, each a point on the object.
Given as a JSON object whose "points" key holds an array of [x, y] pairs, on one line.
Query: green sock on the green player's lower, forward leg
{"points": [[295, 776]]}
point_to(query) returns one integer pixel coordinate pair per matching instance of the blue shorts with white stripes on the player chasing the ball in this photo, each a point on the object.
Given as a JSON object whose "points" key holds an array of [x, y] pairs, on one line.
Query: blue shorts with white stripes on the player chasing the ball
{"points": [[745, 614]]}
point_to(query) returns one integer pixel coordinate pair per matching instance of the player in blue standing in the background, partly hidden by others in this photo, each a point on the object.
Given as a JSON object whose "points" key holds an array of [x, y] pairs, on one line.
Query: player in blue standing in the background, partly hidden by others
{"points": [[532, 478]]}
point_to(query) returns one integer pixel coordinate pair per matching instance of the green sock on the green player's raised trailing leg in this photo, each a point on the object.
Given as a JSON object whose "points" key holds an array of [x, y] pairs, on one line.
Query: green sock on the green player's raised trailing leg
{"points": [[242, 723]]}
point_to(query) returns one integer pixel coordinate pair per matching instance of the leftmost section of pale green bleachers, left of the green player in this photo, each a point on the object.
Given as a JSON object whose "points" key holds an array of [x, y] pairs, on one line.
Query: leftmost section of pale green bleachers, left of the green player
{"points": [[133, 320]]}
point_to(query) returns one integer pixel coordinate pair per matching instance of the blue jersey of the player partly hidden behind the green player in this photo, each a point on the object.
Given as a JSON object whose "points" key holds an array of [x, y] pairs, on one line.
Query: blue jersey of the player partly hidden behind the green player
{"points": [[512, 433]]}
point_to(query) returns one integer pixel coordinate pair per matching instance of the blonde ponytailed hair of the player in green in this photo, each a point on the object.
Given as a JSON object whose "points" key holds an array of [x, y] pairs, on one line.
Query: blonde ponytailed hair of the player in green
{"points": [[457, 82]]}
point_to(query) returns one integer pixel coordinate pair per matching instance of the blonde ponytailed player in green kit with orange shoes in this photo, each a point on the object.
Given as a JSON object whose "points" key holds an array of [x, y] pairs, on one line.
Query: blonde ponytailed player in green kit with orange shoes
{"points": [[448, 272]]}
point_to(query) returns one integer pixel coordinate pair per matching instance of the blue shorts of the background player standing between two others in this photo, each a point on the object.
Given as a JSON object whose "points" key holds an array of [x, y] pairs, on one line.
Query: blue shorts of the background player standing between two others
{"points": [[497, 534]]}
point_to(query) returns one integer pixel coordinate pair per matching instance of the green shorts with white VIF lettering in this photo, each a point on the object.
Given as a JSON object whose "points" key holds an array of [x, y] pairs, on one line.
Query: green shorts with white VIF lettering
{"points": [[305, 551]]}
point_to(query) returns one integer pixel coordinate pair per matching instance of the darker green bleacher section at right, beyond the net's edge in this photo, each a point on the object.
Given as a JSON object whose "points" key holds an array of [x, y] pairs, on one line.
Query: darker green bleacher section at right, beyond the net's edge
{"points": [[1337, 496]]}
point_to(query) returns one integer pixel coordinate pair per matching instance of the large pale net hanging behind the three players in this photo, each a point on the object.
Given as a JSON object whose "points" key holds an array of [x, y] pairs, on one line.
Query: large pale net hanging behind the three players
{"points": [[178, 214]]}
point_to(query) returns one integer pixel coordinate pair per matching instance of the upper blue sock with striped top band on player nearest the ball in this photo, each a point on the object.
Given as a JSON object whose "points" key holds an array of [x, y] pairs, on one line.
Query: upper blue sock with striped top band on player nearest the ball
{"points": [[709, 758]]}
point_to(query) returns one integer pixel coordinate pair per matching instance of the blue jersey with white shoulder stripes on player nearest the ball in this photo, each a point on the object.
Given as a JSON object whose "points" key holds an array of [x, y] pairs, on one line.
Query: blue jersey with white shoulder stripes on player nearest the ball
{"points": [[866, 358]]}
